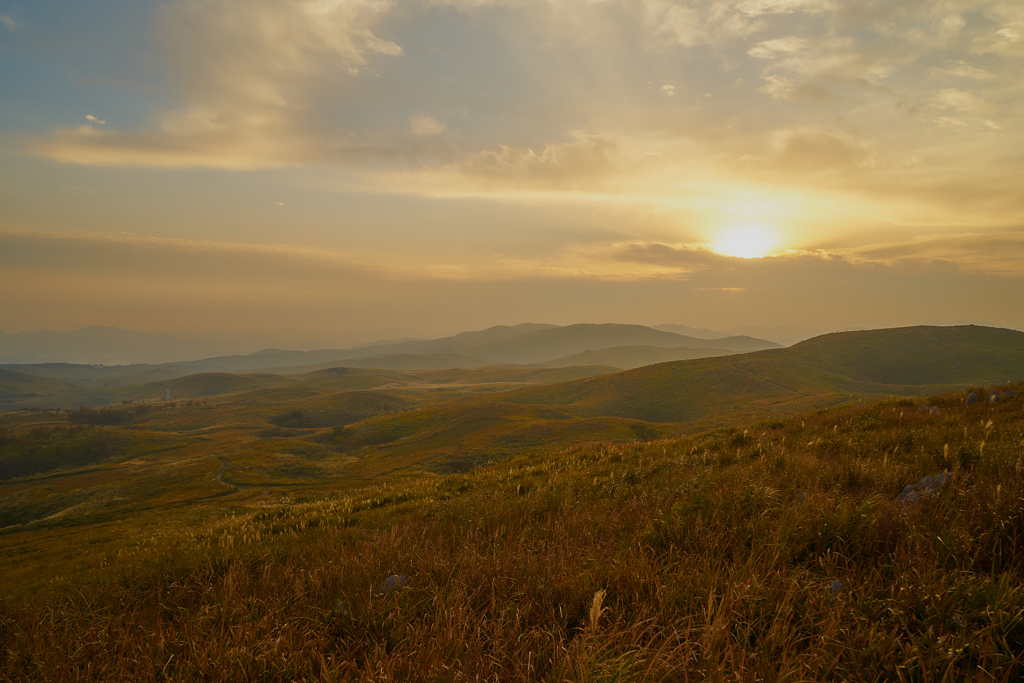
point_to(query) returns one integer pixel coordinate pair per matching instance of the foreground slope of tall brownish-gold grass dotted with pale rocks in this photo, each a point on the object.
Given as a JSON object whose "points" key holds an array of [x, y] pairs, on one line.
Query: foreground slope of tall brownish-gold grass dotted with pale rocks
{"points": [[769, 551]]}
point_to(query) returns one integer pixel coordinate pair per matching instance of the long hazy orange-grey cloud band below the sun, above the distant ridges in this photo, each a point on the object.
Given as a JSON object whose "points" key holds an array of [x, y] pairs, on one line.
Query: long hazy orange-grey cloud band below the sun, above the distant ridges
{"points": [[133, 280]]}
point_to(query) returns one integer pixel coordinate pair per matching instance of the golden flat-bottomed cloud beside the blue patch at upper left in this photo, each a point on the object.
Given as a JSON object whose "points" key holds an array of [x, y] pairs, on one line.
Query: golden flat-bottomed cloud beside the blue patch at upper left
{"points": [[249, 74]]}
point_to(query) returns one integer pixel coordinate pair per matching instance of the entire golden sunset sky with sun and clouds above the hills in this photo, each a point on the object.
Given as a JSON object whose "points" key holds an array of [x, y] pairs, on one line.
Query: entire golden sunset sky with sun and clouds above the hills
{"points": [[445, 165]]}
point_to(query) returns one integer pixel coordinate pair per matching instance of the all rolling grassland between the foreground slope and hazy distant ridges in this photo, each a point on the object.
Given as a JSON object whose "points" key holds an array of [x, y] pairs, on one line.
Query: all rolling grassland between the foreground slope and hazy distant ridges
{"points": [[343, 429]]}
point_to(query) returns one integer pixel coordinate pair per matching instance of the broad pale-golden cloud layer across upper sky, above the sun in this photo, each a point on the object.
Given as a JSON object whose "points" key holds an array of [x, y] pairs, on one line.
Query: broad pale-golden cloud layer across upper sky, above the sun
{"points": [[553, 103]]}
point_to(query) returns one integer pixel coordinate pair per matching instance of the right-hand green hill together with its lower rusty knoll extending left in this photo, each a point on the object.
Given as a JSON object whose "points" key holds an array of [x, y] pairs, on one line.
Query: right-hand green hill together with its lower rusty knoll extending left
{"points": [[820, 373]]}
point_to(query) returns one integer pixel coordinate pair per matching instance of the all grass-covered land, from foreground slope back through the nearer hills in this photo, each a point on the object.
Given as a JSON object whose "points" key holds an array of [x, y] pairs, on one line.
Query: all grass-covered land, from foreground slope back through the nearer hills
{"points": [[733, 519]]}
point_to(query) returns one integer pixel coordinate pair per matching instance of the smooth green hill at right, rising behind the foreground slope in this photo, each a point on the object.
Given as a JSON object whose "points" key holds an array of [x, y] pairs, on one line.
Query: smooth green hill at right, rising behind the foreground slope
{"points": [[906, 361]]}
